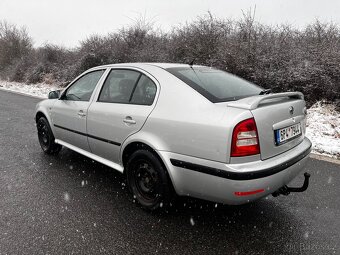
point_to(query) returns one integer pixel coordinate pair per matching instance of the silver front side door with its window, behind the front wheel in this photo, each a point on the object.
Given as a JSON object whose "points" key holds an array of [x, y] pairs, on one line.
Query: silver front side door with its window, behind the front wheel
{"points": [[70, 111]]}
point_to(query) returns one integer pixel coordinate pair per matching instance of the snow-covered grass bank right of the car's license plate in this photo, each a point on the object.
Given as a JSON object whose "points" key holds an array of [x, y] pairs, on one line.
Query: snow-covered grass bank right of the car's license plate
{"points": [[323, 129]]}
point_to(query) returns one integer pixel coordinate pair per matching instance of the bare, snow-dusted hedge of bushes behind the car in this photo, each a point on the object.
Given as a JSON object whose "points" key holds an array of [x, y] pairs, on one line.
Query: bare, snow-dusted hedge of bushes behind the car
{"points": [[281, 57]]}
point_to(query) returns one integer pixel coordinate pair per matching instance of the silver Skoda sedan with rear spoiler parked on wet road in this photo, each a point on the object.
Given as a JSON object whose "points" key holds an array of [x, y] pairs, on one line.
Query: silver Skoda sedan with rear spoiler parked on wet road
{"points": [[180, 129]]}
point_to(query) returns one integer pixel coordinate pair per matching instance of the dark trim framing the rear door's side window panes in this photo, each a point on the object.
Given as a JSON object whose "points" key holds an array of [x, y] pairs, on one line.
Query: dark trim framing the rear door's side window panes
{"points": [[133, 90]]}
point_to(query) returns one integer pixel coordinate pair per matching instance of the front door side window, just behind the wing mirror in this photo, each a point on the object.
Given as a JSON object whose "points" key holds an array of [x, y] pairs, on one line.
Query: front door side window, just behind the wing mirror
{"points": [[81, 90]]}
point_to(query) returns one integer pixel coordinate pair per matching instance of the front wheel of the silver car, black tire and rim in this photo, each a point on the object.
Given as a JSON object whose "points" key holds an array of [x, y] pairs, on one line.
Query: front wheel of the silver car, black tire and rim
{"points": [[46, 138]]}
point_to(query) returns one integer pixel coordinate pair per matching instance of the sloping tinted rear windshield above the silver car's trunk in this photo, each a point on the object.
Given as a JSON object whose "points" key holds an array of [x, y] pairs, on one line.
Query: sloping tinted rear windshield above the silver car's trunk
{"points": [[215, 85]]}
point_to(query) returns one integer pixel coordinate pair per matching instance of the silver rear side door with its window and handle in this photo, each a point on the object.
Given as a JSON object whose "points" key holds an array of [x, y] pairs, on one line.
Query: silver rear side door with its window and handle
{"points": [[123, 104]]}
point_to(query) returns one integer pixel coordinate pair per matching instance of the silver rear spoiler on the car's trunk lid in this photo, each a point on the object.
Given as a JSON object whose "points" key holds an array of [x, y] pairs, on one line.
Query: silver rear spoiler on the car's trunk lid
{"points": [[251, 103]]}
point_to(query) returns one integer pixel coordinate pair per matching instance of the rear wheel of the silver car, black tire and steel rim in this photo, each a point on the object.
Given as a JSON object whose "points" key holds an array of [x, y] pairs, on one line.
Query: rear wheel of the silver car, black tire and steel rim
{"points": [[149, 181]]}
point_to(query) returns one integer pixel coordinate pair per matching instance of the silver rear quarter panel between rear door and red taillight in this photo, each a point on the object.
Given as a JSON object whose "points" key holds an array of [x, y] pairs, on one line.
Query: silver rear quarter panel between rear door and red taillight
{"points": [[185, 122]]}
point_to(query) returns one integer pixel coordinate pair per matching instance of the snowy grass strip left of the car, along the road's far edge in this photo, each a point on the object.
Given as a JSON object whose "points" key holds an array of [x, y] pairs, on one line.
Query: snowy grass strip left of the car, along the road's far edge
{"points": [[39, 90]]}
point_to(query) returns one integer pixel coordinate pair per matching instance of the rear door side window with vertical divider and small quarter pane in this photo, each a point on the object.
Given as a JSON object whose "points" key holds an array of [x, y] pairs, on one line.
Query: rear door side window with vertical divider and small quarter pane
{"points": [[128, 87]]}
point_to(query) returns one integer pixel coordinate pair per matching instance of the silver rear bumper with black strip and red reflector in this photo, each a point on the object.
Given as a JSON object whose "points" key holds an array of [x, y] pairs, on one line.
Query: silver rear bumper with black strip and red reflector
{"points": [[219, 182]]}
